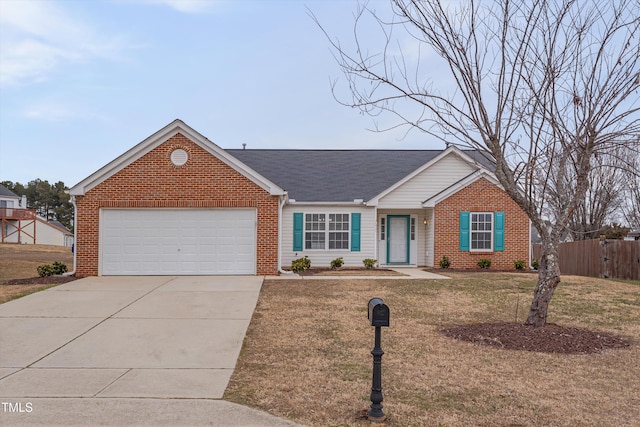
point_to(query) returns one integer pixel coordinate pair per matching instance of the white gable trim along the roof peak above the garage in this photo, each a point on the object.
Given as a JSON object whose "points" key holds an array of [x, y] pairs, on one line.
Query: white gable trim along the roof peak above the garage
{"points": [[159, 138]]}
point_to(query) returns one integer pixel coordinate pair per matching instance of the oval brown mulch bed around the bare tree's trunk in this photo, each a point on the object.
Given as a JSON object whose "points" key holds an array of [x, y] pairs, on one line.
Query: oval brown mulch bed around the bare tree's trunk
{"points": [[550, 338]]}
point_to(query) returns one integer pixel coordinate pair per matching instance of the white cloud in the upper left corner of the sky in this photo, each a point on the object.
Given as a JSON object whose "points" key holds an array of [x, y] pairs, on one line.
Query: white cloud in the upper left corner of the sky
{"points": [[36, 37]]}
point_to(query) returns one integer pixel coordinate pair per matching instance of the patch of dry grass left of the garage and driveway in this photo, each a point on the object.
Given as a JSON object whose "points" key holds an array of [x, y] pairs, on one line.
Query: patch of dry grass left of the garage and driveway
{"points": [[22, 261]]}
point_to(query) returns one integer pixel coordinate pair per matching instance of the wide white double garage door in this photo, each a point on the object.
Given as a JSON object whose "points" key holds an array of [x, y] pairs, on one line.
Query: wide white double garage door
{"points": [[178, 241]]}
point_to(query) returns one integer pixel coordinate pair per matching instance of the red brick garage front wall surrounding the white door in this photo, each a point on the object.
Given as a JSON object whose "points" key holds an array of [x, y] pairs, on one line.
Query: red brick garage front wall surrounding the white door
{"points": [[153, 181]]}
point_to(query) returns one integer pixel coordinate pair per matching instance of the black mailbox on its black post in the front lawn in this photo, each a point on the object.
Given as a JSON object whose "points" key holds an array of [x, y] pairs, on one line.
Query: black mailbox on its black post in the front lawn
{"points": [[378, 314]]}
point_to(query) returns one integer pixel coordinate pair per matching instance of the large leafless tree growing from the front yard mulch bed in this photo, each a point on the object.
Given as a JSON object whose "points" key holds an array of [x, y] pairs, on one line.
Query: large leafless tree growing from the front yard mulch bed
{"points": [[540, 88]]}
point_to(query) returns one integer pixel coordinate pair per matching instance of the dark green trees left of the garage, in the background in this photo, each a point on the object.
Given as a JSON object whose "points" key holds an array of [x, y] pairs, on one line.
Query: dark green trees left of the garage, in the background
{"points": [[49, 201]]}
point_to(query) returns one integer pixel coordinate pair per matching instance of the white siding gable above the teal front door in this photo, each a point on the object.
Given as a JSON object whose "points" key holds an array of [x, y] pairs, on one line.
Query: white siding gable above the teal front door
{"points": [[426, 184]]}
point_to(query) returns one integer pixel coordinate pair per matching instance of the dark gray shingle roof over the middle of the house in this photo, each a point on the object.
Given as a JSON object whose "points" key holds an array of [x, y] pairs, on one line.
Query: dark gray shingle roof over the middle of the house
{"points": [[336, 175]]}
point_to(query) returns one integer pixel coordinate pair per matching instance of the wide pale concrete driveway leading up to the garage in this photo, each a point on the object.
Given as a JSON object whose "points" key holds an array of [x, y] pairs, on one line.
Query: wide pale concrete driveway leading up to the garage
{"points": [[127, 351]]}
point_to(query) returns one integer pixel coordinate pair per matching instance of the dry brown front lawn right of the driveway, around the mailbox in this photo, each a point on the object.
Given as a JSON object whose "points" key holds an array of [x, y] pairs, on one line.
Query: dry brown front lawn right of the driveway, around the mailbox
{"points": [[306, 355]]}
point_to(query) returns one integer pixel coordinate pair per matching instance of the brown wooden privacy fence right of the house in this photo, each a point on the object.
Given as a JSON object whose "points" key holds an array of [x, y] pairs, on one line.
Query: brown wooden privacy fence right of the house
{"points": [[615, 259]]}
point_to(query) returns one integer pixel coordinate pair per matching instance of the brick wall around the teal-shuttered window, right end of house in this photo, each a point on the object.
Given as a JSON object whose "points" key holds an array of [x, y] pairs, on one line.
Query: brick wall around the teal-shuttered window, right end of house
{"points": [[480, 196]]}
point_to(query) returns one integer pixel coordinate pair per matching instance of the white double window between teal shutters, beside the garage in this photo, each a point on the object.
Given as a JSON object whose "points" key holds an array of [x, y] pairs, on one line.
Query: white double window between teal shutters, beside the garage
{"points": [[318, 235]]}
